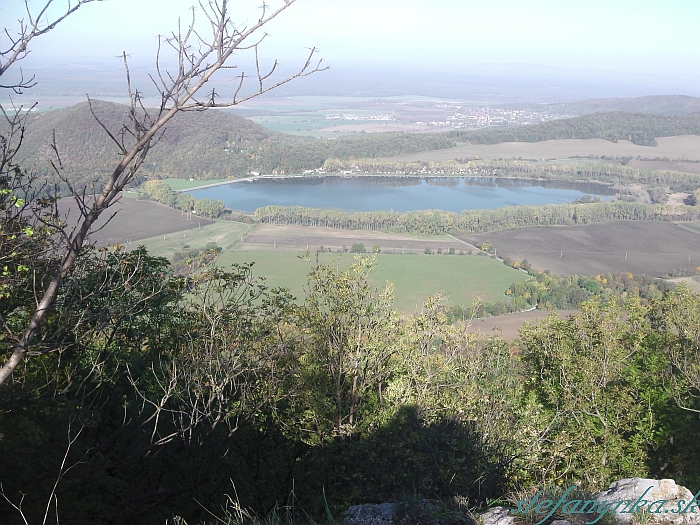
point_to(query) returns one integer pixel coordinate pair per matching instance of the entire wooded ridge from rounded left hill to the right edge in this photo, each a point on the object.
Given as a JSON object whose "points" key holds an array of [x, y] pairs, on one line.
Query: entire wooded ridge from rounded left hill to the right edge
{"points": [[218, 144]]}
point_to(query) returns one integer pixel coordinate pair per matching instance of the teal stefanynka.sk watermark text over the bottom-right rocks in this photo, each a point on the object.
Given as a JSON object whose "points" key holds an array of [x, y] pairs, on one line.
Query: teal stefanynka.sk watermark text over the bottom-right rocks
{"points": [[547, 507]]}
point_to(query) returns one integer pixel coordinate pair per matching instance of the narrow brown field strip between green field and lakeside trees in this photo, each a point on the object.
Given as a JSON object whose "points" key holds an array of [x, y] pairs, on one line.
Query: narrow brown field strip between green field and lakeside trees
{"points": [[296, 238]]}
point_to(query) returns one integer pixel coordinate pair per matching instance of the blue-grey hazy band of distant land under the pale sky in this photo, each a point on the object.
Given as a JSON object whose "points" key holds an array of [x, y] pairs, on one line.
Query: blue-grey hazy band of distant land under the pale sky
{"points": [[491, 83]]}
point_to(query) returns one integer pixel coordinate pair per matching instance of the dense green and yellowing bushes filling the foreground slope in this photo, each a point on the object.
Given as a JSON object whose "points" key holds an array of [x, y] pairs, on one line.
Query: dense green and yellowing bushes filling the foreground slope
{"points": [[156, 393]]}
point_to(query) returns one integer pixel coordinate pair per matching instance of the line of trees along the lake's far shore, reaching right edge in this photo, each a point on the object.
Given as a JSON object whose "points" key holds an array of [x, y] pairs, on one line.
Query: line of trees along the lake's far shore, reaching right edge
{"points": [[581, 171]]}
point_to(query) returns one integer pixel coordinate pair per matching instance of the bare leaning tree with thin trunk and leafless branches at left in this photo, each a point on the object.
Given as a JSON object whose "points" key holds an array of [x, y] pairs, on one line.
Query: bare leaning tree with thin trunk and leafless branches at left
{"points": [[198, 60]]}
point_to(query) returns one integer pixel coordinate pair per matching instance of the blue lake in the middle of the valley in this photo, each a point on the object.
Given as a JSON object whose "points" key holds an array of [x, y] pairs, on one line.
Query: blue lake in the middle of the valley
{"points": [[397, 193]]}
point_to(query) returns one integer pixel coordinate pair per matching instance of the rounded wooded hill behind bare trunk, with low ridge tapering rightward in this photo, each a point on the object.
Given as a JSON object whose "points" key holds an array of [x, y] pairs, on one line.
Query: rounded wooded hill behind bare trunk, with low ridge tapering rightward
{"points": [[204, 144]]}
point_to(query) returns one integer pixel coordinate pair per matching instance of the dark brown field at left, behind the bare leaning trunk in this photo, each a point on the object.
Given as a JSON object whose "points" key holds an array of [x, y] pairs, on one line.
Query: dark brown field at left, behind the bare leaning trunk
{"points": [[134, 220]]}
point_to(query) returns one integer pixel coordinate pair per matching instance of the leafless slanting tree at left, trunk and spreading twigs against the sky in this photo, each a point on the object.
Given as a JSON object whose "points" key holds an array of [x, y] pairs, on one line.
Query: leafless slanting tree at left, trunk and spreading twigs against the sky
{"points": [[199, 56]]}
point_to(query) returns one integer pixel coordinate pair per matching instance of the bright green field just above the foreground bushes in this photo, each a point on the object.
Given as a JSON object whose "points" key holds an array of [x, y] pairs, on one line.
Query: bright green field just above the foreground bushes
{"points": [[415, 277]]}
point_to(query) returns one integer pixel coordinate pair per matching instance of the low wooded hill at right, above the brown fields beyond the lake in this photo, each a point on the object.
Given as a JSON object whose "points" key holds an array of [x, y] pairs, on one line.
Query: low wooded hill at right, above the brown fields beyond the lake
{"points": [[640, 128]]}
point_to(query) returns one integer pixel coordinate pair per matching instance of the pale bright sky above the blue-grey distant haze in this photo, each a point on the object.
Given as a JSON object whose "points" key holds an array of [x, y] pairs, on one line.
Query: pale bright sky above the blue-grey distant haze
{"points": [[626, 35]]}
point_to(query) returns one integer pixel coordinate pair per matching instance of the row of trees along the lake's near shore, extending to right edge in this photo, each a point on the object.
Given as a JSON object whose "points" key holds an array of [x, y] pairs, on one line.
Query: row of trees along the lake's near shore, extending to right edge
{"points": [[430, 222]]}
